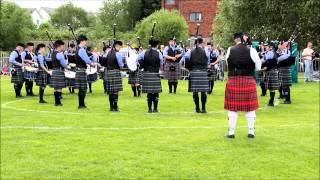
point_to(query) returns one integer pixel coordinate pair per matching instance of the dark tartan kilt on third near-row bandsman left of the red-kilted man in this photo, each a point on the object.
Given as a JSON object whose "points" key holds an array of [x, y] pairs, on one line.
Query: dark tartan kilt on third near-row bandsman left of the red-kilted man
{"points": [[113, 81]]}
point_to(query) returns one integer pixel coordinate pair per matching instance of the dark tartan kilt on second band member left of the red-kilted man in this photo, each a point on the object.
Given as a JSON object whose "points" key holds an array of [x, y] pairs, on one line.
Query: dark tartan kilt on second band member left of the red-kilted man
{"points": [[151, 82]]}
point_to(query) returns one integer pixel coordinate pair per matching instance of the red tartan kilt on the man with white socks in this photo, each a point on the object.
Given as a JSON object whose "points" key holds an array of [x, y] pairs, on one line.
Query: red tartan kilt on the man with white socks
{"points": [[241, 94]]}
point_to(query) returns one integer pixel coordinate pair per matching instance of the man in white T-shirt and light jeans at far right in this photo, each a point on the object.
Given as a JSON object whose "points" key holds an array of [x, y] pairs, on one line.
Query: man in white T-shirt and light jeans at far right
{"points": [[307, 59]]}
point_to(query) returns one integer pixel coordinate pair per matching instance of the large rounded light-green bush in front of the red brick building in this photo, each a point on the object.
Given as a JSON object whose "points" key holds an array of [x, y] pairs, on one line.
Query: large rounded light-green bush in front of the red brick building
{"points": [[169, 24]]}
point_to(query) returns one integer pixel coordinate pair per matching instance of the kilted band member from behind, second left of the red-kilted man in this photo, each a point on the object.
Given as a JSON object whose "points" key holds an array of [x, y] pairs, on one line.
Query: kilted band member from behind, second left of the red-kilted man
{"points": [[150, 61]]}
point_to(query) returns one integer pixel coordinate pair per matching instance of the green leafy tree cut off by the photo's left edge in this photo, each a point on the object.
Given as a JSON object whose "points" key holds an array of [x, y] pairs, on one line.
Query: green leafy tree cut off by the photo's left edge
{"points": [[16, 23]]}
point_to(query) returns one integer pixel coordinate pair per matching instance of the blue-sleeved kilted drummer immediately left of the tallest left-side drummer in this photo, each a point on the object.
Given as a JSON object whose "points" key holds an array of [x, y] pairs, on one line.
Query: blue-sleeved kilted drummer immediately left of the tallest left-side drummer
{"points": [[59, 63]]}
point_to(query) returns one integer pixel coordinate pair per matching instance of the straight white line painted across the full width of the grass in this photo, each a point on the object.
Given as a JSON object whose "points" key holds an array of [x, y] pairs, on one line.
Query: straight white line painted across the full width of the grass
{"points": [[146, 128]]}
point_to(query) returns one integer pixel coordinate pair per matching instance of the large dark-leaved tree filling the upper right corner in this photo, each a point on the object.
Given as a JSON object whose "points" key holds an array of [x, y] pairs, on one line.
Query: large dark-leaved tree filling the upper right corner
{"points": [[267, 19]]}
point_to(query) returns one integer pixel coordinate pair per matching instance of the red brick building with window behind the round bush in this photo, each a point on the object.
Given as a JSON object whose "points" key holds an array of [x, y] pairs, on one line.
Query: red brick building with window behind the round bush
{"points": [[195, 11]]}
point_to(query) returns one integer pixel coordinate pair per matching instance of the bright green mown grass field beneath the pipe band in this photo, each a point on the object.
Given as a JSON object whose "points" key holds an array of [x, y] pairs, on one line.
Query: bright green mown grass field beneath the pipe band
{"points": [[47, 142]]}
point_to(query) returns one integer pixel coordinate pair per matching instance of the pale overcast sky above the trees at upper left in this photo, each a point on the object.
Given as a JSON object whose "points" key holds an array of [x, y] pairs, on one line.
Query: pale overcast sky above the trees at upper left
{"points": [[88, 5]]}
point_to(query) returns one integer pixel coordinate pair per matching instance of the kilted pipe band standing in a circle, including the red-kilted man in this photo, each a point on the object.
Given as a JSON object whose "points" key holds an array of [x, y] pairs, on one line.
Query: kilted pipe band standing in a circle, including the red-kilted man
{"points": [[79, 67]]}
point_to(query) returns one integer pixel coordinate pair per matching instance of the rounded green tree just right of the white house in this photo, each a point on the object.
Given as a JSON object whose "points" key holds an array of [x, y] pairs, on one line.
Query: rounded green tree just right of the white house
{"points": [[69, 14]]}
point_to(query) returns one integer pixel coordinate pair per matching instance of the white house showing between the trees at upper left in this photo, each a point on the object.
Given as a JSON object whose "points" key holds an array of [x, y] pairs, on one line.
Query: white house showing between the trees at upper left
{"points": [[41, 15]]}
